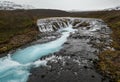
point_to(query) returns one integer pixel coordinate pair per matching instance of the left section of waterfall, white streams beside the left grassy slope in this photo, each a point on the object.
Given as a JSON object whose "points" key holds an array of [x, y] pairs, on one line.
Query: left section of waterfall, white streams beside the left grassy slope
{"points": [[50, 24]]}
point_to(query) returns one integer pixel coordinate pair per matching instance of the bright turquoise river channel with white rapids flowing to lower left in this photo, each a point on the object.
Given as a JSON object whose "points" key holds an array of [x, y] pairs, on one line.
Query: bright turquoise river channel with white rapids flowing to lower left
{"points": [[16, 68]]}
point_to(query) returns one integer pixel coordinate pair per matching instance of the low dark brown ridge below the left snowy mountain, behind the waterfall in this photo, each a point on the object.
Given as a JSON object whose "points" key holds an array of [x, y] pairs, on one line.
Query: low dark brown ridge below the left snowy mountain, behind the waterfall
{"points": [[41, 13]]}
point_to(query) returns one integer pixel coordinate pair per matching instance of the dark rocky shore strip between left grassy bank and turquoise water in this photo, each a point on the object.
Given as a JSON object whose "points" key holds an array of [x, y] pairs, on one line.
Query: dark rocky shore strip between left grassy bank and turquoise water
{"points": [[39, 40]]}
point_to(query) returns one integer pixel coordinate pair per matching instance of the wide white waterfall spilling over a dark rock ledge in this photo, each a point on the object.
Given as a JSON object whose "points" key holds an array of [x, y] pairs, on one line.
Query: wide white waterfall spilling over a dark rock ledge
{"points": [[54, 24]]}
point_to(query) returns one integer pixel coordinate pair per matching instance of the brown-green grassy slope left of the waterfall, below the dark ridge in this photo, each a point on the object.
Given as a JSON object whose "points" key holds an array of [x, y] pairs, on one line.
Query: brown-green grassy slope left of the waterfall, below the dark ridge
{"points": [[16, 29]]}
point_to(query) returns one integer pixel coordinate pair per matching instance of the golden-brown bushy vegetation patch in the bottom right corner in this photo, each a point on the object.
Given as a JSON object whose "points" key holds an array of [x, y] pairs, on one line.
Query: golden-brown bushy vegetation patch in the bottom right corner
{"points": [[110, 64]]}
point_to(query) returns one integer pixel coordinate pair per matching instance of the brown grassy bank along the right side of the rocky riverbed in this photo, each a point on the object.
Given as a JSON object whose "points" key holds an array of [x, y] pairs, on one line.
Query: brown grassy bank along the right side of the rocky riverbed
{"points": [[109, 62]]}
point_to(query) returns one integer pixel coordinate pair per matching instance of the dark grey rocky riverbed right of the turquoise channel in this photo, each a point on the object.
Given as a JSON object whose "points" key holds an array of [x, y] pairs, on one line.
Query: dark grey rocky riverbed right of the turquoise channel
{"points": [[75, 62]]}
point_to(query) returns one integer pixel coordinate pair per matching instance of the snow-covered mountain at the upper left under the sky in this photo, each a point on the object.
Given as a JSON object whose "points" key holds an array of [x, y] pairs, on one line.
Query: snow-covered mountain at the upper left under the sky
{"points": [[7, 5]]}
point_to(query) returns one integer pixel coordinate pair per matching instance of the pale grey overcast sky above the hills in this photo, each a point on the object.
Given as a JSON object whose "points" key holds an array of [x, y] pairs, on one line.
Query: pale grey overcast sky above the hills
{"points": [[70, 4]]}
